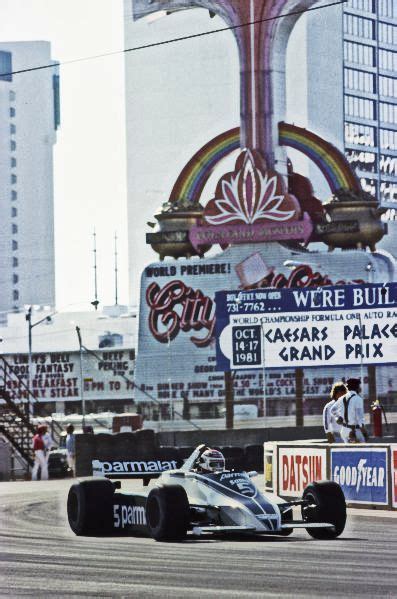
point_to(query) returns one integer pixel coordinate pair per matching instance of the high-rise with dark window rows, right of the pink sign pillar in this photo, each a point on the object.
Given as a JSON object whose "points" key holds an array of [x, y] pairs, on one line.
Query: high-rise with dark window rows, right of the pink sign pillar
{"points": [[343, 85]]}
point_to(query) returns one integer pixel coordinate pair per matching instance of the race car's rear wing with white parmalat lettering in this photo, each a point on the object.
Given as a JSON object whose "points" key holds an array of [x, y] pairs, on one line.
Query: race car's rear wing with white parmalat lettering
{"points": [[121, 469]]}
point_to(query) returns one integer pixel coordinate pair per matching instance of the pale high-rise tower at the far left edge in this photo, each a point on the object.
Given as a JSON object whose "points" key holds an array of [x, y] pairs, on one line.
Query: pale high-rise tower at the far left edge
{"points": [[29, 117]]}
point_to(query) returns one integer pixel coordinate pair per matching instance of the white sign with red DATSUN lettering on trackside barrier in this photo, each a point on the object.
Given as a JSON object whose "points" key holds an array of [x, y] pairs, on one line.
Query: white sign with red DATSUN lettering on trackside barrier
{"points": [[299, 466]]}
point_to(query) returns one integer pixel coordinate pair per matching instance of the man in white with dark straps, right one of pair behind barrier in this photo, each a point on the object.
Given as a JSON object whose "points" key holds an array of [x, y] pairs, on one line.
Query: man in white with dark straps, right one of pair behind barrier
{"points": [[349, 413]]}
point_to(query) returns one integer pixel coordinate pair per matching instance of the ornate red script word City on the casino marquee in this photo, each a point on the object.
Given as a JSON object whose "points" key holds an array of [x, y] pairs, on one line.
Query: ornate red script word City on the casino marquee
{"points": [[177, 307]]}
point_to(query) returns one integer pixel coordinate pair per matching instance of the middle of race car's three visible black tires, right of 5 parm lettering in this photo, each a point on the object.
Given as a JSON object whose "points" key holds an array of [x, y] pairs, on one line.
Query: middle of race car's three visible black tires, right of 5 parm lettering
{"points": [[167, 513]]}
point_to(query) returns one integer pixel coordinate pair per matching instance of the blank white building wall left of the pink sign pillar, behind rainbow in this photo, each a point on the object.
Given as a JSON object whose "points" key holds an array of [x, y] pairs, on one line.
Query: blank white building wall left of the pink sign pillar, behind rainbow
{"points": [[178, 97]]}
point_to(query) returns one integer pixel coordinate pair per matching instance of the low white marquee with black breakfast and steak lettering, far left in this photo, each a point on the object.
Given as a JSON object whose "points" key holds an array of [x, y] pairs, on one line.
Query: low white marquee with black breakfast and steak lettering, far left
{"points": [[55, 376]]}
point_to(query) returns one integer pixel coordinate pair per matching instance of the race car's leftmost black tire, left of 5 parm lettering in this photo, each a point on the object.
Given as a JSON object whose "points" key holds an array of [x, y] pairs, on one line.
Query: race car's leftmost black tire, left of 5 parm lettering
{"points": [[90, 506]]}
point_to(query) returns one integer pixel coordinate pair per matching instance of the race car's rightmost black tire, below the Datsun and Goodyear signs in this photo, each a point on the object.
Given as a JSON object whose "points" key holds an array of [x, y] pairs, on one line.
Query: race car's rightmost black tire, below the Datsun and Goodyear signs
{"points": [[327, 504]]}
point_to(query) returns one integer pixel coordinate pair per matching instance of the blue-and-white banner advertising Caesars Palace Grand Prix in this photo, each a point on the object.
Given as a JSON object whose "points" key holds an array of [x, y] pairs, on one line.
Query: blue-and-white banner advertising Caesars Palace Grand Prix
{"points": [[326, 326]]}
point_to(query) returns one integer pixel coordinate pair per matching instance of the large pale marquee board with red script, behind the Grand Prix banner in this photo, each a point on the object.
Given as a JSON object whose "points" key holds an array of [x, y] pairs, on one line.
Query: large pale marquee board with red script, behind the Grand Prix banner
{"points": [[176, 355]]}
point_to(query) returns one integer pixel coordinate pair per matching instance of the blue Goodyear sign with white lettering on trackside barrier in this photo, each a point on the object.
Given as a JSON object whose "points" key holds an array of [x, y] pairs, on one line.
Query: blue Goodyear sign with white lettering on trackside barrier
{"points": [[362, 474]]}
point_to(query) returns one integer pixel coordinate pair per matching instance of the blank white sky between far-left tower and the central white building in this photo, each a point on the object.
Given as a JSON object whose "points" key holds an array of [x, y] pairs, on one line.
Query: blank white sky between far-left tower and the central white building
{"points": [[90, 155]]}
